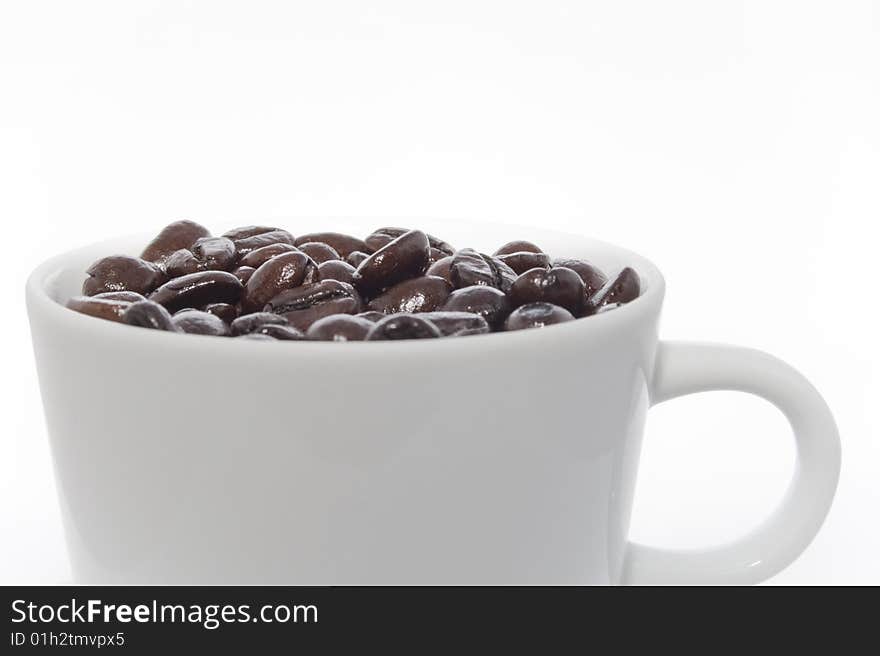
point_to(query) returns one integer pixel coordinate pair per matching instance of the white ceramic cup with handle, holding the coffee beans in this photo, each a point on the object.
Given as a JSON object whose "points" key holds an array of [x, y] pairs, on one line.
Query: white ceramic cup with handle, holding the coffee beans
{"points": [[492, 459]]}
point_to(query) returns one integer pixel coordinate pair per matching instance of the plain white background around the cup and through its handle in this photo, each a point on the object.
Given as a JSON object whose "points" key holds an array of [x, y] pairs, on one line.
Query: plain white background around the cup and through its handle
{"points": [[734, 143]]}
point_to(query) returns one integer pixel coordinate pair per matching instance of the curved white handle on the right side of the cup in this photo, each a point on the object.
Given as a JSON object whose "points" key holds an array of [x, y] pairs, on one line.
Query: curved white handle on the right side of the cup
{"points": [[687, 367]]}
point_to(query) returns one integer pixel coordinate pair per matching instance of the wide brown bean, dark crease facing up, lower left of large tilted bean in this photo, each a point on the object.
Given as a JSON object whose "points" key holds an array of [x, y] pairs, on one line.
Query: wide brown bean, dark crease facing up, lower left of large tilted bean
{"points": [[304, 305]]}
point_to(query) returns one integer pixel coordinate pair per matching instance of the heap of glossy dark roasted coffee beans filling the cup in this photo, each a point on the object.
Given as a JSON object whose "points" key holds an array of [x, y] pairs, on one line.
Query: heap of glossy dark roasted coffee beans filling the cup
{"points": [[261, 282]]}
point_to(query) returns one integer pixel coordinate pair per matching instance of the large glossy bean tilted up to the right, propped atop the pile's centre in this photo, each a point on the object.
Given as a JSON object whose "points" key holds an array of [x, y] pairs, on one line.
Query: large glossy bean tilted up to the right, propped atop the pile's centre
{"points": [[403, 258]]}
